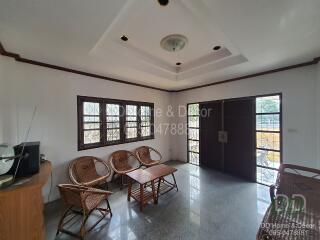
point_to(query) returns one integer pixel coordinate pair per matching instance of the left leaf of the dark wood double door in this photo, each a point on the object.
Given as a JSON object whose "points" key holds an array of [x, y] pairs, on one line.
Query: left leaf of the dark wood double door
{"points": [[210, 124]]}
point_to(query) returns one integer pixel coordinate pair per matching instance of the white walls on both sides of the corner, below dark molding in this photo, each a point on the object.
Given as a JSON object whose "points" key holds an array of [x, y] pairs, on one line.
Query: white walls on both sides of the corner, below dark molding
{"points": [[23, 86]]}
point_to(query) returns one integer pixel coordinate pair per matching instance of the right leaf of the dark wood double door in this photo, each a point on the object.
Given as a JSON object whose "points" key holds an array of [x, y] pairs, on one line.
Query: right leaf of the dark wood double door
{"points": [[239, 123]]}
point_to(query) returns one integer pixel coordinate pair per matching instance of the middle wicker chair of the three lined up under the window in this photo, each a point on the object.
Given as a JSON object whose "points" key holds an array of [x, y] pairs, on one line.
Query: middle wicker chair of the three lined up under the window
{"points": [[120, 163]]}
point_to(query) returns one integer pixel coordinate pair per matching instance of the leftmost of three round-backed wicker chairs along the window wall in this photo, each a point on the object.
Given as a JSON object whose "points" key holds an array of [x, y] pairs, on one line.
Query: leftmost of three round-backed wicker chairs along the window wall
{"points": [[82, 171]]}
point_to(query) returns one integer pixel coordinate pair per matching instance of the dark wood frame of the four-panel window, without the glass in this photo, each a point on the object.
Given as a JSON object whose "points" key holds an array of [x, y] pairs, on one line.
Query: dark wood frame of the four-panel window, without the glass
{"points": [[103, 128]]}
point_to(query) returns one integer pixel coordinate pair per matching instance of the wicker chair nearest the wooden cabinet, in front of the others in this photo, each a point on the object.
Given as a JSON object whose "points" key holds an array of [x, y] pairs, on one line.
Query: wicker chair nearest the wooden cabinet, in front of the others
{"points": [[87, 199]]}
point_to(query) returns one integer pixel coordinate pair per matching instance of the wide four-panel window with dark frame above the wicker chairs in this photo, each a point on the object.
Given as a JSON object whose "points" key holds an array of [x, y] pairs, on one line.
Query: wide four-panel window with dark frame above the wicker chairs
{"points": [[103, 122]]}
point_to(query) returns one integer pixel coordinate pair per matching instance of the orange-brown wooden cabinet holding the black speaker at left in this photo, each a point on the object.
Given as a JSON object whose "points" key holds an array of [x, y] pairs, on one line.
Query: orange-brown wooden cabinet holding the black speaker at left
{"points": [[21, 208]]}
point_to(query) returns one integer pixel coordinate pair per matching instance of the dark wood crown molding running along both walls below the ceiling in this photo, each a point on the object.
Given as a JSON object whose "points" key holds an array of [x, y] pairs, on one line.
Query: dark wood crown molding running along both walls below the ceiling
{"points": [[18, 58]]}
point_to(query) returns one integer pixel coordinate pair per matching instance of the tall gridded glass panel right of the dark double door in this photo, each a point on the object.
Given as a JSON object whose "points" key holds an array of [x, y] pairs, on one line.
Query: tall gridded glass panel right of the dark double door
{"points": [[268, 138]]}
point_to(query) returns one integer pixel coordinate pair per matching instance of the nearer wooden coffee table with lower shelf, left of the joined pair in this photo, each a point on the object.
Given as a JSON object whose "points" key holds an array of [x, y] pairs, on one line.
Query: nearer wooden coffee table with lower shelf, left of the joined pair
{"points": [[142, 194]]}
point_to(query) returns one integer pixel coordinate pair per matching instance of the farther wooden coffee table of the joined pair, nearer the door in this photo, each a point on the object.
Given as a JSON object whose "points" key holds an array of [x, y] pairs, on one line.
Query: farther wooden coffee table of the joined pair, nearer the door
{"points": [[161, 171]]}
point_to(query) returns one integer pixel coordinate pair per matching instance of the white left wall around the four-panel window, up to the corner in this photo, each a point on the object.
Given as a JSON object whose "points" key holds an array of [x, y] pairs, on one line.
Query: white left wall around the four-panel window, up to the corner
{"points": [[55, 125]]}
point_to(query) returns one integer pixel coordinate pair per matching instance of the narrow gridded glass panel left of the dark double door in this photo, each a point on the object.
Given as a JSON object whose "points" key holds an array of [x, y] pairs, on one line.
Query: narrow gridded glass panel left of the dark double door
{"points": [[193, 134]]}
